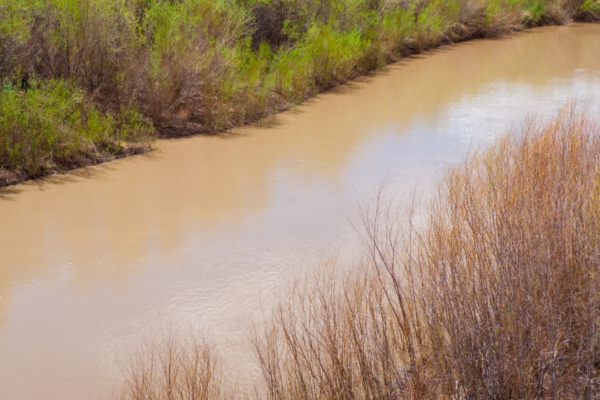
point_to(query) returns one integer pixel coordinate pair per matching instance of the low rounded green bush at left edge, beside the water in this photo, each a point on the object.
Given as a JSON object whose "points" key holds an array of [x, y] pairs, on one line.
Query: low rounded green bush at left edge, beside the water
{"points": [[51, 126]]}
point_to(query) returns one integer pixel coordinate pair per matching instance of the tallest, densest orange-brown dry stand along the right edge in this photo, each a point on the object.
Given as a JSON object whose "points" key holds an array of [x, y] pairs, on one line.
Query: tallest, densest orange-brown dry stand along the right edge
{"points": [[508, 267]]}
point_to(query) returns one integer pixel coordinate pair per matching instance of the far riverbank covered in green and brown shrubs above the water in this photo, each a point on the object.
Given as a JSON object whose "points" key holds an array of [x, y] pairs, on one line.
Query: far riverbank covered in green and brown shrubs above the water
{"points": [[91, 82]]}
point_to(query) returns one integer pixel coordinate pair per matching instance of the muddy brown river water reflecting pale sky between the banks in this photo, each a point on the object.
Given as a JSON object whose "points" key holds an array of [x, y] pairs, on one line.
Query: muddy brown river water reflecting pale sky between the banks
{"points": [[200, 232]]}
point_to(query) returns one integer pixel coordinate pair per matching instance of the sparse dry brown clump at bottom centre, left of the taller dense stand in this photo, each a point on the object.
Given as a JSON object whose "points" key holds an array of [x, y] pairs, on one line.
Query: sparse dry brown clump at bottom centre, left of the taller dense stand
{"points": [[334, 338]]}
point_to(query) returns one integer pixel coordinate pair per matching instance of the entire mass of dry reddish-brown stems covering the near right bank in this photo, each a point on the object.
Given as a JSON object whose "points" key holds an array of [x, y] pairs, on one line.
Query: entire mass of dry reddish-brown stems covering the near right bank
{"points": [[492, 293]]}
